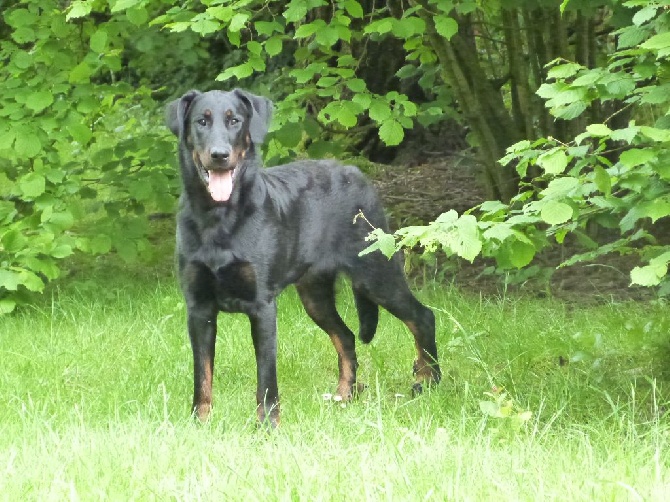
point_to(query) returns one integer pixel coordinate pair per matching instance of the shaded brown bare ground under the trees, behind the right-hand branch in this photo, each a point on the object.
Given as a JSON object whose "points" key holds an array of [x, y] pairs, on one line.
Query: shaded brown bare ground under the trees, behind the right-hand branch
{"points": [[419, 193]]}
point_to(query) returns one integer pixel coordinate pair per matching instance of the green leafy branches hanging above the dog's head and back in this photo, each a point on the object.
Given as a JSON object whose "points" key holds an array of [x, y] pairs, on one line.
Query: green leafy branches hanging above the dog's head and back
{"points": [[327, 96]]}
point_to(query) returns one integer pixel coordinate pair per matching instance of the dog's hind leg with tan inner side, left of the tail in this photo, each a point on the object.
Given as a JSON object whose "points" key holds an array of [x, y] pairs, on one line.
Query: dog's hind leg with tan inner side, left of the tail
{"points": [[317, 293]]}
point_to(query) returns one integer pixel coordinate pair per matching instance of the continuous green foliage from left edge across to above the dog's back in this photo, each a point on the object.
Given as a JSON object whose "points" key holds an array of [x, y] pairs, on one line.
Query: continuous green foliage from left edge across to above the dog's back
{"points": [[84, 154]]}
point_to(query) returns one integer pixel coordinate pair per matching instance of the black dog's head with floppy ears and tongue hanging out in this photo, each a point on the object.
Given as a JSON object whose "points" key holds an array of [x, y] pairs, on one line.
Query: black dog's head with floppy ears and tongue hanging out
{"points": [[220, 129]]}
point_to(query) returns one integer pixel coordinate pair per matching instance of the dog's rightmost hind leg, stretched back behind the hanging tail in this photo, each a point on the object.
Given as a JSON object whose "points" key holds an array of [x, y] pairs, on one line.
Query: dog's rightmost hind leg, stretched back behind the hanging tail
{"points": [[383, 282]]}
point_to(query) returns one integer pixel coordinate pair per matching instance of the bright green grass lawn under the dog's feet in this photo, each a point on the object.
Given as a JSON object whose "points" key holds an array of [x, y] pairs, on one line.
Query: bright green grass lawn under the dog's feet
{"points": [[96, 384]]}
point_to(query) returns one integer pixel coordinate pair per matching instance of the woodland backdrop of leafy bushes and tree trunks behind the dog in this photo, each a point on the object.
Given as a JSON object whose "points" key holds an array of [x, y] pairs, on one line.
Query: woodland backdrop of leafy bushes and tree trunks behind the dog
{"points": [[563, 106]]}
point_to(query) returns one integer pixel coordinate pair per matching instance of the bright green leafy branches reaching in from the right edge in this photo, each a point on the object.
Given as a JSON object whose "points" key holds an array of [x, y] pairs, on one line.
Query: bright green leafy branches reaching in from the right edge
{"points": [[615, 177]]}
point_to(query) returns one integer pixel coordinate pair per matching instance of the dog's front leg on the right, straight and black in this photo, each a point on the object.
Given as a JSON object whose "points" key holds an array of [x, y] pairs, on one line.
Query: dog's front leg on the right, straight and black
{"points": [[264, 335]]}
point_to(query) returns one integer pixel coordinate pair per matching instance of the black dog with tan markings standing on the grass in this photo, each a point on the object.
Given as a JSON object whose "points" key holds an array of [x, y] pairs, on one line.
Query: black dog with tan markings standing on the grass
{"points": [[244, 234]]}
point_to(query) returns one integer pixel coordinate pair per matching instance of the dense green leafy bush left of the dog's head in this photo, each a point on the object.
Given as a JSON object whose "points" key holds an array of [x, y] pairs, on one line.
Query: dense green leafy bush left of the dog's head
{"points": [[75, 142]]}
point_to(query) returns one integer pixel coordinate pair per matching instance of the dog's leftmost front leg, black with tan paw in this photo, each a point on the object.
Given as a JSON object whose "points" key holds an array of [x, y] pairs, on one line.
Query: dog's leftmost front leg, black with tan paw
{"points": [[202, 332]]}
